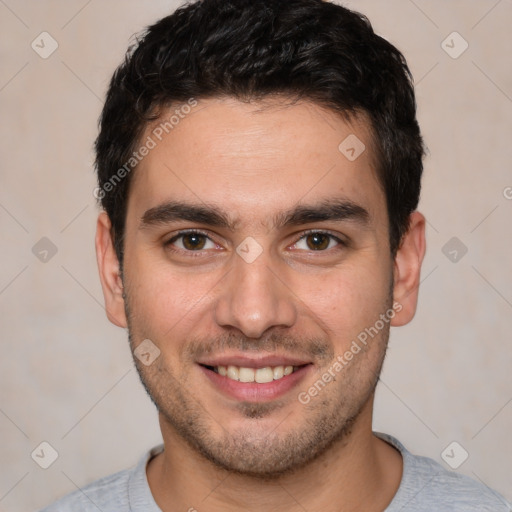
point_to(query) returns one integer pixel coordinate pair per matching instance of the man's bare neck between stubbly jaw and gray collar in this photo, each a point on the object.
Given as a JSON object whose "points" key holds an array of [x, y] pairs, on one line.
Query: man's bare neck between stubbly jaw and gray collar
{"points": [[361, 472]]}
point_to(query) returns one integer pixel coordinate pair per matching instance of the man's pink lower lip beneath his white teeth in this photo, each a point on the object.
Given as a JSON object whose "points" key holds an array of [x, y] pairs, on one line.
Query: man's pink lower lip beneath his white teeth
{"points": [[252, 391]]}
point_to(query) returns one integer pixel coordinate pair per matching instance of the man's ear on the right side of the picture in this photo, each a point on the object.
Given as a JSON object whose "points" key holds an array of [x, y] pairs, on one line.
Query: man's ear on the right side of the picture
{"points": [[407, 268]]}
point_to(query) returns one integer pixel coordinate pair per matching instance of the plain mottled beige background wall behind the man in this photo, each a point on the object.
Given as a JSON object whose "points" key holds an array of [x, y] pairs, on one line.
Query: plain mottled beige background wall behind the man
{"points": [[66, 375]]}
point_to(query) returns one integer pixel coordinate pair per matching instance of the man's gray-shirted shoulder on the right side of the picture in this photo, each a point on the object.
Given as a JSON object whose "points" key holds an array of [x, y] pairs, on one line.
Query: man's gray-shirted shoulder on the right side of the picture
{"points": [[426, 485]]}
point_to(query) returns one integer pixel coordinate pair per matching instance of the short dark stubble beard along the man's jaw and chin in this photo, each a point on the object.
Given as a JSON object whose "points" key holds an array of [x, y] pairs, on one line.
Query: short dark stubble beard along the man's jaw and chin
{"points": [[325, 422]]}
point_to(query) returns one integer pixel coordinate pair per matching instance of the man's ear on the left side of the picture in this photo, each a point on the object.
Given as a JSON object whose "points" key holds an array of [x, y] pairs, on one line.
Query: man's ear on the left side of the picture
{"points": [[108, 266]]}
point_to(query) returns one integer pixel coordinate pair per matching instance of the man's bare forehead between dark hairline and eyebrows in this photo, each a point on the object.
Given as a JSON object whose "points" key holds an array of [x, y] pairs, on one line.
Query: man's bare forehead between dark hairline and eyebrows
{"points": [[255, 160]]}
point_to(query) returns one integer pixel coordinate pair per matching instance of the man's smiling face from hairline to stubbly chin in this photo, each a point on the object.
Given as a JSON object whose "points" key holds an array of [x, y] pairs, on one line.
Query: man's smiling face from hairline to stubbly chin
{"points": [[256, 255]]}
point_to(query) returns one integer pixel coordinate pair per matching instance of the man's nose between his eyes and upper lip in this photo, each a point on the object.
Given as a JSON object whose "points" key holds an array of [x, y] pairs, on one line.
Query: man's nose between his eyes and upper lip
{"points": [[254, 298]]}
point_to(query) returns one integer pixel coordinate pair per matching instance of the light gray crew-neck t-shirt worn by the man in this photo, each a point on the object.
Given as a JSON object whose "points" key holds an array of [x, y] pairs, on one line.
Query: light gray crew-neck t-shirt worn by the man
{"points": [[425, 487]]}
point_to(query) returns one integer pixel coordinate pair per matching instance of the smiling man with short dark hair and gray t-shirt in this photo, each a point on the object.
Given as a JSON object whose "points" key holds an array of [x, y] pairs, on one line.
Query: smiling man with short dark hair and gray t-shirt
{"points": [[259, 167]]}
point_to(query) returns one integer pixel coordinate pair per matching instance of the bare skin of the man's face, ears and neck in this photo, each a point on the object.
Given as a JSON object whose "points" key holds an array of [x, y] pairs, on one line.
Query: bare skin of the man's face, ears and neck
{"points": [[254, 161]]}
